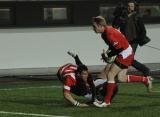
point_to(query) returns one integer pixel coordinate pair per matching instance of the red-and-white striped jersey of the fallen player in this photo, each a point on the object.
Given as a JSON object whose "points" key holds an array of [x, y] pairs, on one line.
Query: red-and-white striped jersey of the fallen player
{"points": [[67, 73]]}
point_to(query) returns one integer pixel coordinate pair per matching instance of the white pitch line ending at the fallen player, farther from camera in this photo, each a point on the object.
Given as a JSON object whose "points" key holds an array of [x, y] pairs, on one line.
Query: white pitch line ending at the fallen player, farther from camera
{"points": [[7, 89]]}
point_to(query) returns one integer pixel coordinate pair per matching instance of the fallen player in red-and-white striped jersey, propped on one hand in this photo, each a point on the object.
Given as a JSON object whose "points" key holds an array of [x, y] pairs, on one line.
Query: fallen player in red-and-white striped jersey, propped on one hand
{"points": [[77, 80]]}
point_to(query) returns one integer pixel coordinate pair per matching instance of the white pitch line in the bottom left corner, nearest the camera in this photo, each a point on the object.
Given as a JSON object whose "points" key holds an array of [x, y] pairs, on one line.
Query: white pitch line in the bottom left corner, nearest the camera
{"points": [[29, 114]]}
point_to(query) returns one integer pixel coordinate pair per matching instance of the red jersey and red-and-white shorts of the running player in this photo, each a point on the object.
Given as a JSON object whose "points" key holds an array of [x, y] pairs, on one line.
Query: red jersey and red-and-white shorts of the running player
{"points": [[116, 40]]}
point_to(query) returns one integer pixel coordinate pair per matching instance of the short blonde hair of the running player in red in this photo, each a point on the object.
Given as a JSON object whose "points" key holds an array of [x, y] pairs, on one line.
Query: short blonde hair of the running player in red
{"points": [[99, 20]]}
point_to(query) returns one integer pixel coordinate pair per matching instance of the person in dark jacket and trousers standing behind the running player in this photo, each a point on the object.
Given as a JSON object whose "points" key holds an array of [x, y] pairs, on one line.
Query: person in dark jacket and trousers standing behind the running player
{"points": [[131, 25]]}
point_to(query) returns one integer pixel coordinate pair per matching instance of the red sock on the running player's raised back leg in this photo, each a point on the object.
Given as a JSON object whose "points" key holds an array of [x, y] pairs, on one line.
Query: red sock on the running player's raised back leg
{"points": [[134, 78]]}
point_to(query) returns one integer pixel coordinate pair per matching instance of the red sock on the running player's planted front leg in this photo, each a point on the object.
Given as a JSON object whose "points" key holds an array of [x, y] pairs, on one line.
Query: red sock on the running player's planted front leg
{"points": [[110, 88]]}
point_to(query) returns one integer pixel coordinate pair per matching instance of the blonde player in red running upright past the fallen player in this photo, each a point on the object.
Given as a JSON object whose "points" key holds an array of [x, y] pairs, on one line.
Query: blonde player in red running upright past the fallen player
{"points": [[119, 46]]}
